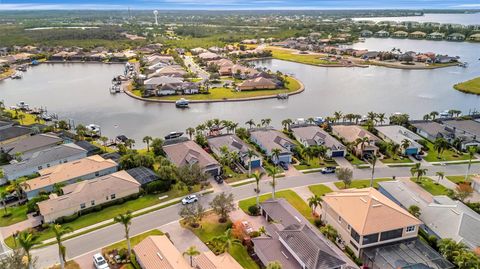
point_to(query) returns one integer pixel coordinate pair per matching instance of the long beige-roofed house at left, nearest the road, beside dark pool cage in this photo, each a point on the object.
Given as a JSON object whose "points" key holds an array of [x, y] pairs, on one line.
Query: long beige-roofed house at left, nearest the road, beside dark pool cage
{"points": [[88, 193]]}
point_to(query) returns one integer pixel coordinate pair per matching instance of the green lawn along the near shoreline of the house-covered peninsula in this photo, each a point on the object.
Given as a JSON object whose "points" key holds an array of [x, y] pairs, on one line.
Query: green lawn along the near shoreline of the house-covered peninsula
{"points": [[227, 93]]}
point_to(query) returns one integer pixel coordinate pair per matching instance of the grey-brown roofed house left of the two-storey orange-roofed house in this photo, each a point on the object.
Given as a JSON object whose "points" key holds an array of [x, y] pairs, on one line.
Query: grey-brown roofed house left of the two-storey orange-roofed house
{"points": [[293, 241]]}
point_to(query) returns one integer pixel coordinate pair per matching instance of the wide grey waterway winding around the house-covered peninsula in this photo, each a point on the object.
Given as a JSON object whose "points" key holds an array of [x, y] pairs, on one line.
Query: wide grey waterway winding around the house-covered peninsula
{"points": [[80, 92]]}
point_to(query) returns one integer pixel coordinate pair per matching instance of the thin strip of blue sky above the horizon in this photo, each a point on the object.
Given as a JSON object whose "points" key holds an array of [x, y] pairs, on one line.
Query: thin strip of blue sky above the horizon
{"points": [[238, 4]]}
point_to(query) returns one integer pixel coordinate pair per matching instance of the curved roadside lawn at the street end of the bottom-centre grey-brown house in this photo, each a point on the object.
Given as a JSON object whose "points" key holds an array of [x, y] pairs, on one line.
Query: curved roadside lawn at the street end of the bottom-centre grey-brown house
{"points": [[291, 196]]}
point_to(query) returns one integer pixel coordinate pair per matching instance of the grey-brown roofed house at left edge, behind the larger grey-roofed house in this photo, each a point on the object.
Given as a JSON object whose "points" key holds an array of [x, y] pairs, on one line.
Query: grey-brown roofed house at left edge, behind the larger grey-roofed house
{"points": [[31, 144]]}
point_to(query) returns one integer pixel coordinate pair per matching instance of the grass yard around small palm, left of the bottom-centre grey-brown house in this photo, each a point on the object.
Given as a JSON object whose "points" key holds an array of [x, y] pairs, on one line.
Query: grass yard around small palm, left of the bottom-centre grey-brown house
{"points": [[211, 228]]}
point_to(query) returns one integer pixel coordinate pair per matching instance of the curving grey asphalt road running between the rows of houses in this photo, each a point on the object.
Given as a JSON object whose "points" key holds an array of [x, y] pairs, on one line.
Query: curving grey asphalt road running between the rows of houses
{"points": [[95, 240]]}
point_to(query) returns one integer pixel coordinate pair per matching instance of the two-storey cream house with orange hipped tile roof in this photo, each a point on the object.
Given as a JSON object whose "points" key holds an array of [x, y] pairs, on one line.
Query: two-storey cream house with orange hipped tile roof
{"points": [[365, 218]]}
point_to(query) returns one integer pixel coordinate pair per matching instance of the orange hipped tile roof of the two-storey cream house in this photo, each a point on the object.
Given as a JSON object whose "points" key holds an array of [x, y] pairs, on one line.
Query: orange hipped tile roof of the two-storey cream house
{"points": [[368, 211]]}
